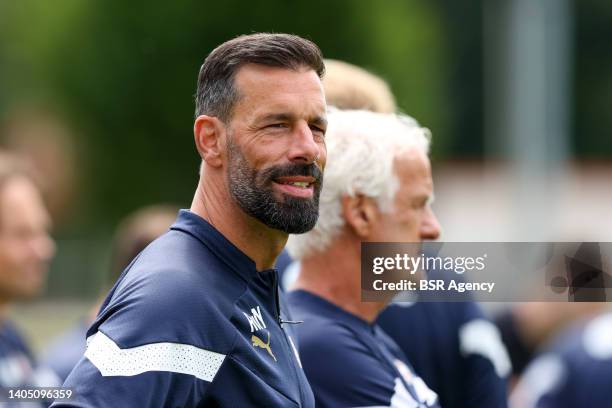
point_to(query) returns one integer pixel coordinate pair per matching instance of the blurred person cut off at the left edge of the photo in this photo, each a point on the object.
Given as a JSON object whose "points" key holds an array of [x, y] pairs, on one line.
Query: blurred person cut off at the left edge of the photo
{"points": [[26, 248]]}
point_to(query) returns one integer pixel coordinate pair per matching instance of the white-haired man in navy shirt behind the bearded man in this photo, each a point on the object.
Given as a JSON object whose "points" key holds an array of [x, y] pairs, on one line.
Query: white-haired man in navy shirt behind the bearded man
{"points": [[378, 187]]}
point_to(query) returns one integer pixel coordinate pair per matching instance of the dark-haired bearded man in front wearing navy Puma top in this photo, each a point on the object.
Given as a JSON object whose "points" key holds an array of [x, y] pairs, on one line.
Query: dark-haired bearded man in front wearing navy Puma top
{"points": [[197, 318]]}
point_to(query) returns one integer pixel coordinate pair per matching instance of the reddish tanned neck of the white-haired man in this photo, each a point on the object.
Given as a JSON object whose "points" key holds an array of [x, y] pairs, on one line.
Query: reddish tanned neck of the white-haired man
{"points": [[335, 275]]}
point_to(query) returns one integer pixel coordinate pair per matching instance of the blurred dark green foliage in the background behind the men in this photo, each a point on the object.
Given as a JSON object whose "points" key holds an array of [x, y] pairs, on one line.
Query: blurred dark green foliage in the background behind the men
{"points": [[121, 76]]}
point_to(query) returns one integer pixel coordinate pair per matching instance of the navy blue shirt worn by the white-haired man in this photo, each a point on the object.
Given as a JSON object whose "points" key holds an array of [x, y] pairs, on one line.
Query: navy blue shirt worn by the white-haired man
{"points": [[351, 363]]}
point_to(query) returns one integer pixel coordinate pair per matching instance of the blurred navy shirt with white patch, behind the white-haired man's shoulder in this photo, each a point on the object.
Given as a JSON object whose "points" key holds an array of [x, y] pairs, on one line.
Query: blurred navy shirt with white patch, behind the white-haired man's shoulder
{"points": [[455, 349]]}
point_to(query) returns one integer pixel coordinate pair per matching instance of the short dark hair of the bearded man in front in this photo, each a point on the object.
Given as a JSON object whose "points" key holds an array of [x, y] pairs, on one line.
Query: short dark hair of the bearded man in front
{"points": [[216, 93]]}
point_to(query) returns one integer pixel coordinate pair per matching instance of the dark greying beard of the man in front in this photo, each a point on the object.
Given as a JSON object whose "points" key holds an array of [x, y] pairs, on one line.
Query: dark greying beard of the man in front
{"points": [[253, 191]]}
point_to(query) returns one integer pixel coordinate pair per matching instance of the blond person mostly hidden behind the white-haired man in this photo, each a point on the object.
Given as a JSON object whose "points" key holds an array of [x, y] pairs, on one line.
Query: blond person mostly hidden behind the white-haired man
{"points": [[453, 347]]}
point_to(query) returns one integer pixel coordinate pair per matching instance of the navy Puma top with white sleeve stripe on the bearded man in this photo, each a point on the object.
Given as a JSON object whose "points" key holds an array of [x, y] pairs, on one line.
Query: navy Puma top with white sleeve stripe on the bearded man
{"points": [[191, 322]]}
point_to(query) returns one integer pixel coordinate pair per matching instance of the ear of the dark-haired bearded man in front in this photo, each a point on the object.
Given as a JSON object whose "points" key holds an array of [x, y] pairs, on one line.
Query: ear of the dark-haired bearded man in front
{"points": [[208, 132]]}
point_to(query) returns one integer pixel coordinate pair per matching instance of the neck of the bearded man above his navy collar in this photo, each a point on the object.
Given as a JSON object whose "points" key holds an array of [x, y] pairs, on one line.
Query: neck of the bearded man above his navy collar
{"points": [[259, 242]]}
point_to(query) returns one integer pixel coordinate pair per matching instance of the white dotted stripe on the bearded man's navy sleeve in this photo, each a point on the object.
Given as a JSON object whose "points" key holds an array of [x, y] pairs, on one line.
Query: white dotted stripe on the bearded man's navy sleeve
{"points": [[111, 360]]}
